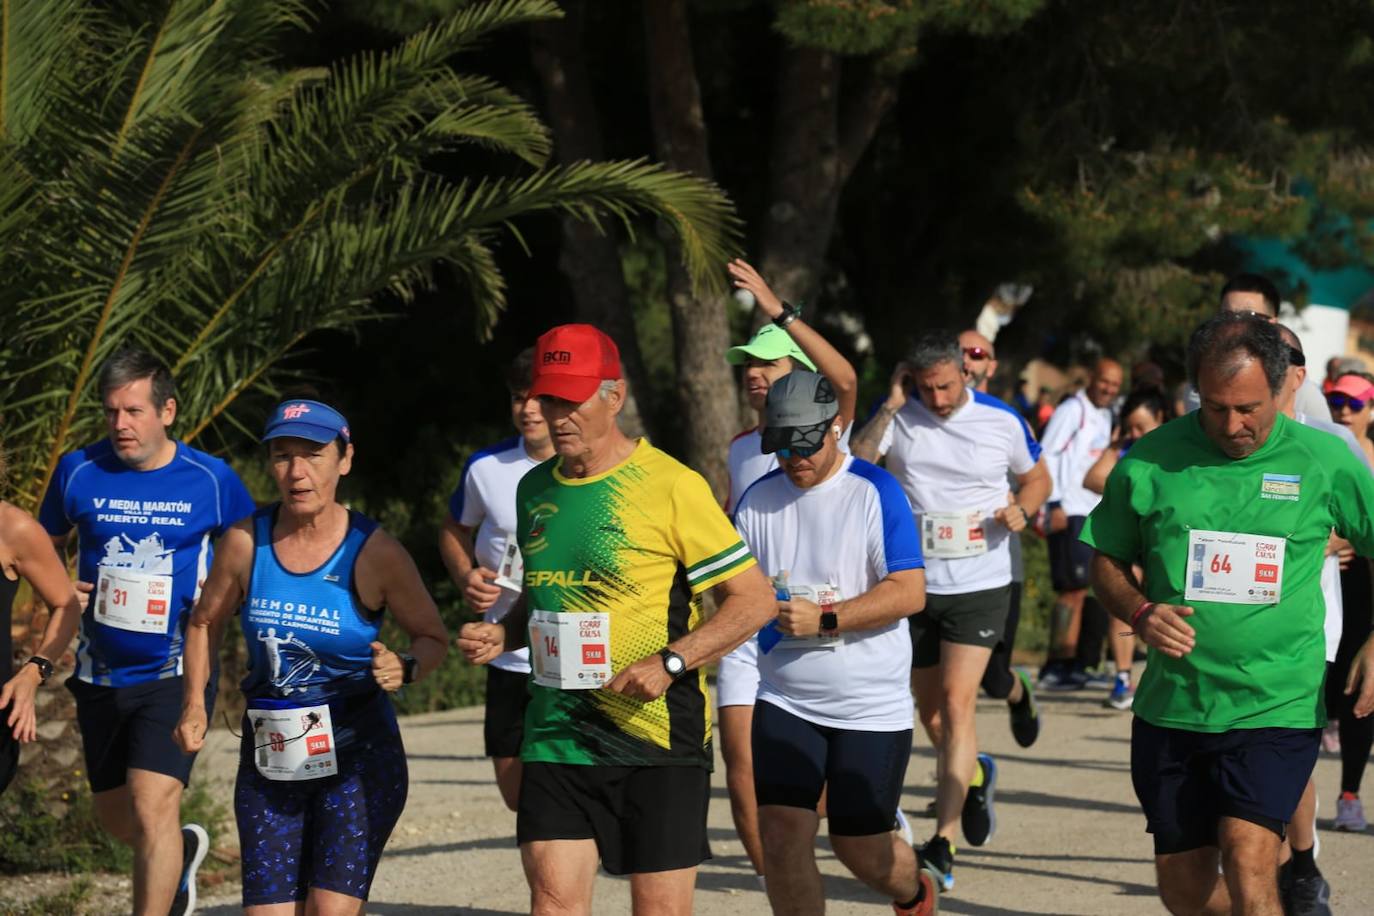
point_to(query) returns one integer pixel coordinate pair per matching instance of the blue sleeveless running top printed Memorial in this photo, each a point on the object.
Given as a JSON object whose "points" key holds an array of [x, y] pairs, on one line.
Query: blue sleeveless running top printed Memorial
{"points": [[308, 635]]}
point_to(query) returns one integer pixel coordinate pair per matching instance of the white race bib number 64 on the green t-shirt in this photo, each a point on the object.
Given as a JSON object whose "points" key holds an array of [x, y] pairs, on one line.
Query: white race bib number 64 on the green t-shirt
{"points": [[1235, 569]]}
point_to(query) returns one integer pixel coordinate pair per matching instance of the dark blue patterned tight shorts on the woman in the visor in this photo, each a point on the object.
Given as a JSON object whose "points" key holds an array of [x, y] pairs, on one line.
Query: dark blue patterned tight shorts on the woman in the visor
{"points": [[321, 833]]}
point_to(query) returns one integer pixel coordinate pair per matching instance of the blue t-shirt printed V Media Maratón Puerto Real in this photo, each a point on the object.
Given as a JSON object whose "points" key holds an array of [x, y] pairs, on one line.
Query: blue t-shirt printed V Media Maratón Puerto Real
{"points": [[160, 523]]}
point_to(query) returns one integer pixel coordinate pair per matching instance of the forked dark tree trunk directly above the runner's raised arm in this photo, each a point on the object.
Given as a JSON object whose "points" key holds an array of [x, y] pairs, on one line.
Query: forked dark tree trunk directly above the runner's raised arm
{"points": [[818, 139]]}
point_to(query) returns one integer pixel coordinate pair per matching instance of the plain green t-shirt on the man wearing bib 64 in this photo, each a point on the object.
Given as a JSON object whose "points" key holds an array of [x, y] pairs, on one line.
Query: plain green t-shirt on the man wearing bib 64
{"points": [[1252, 665]]}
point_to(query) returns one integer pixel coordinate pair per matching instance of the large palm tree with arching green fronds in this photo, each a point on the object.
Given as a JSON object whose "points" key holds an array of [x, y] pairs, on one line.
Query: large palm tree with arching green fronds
{"points": [[166, 182]]}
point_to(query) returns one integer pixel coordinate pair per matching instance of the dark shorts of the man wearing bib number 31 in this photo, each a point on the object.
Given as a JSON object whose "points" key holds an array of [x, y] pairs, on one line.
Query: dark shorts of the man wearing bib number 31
{"points": [[127, 729]]}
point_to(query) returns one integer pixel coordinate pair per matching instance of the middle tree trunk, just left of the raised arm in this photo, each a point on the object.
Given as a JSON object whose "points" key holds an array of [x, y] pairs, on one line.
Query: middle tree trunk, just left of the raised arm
{"points": [[701, 326]]}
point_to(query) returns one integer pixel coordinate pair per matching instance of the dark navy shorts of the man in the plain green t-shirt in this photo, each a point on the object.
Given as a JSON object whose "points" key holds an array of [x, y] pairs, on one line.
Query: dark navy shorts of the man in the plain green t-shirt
{"points": [[1189, 781]]}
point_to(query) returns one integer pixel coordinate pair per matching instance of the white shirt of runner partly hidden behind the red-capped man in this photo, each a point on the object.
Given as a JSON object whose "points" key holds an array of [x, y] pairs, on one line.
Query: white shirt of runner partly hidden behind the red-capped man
{"points": [[486, 501]]}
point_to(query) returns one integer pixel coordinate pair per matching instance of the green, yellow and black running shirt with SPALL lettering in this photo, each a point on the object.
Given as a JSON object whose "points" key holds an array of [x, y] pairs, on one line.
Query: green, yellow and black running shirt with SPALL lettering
{"points": [[640, 543]]}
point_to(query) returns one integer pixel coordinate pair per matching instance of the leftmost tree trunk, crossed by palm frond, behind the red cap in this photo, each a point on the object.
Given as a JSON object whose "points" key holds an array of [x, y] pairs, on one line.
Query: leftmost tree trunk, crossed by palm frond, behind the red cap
{"points": [[590, 259]]}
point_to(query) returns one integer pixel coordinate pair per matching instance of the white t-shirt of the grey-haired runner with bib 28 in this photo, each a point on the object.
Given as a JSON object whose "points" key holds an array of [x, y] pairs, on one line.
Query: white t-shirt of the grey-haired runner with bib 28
{"points": [[957, 465]]}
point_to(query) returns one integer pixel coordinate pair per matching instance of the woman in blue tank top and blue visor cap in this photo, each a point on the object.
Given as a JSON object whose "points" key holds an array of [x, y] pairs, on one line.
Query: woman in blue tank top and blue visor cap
{"points": [[322, 771]]}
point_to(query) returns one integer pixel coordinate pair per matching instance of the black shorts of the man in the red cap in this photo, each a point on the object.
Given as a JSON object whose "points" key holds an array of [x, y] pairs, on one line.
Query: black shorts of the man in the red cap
{"points": [[645, 819]]}
